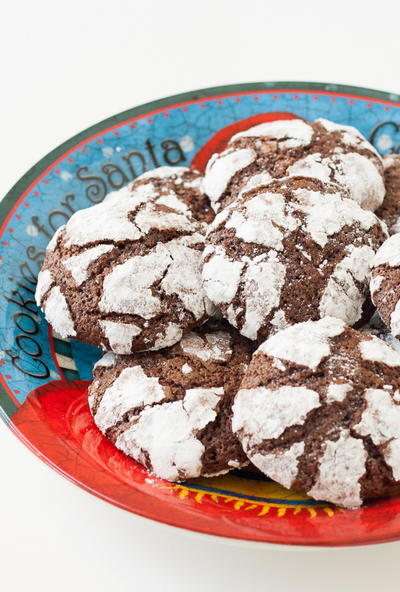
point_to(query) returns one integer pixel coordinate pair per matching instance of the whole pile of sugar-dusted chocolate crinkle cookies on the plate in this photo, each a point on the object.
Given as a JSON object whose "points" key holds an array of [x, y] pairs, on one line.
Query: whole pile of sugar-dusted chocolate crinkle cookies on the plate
{"points": [[234, 311]]}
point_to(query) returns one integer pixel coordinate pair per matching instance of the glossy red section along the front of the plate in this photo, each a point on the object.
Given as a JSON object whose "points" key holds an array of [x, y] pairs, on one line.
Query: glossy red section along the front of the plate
{"points": [[56, 423]]}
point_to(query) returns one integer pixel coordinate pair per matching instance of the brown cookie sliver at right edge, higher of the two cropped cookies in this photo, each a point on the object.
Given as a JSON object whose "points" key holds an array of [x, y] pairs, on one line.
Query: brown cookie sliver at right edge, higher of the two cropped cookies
{"points": [[389, 211]]}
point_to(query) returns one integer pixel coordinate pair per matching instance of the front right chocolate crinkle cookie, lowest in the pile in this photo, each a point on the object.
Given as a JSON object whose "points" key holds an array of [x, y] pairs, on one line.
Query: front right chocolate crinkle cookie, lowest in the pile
{"points": [[319, 412]]}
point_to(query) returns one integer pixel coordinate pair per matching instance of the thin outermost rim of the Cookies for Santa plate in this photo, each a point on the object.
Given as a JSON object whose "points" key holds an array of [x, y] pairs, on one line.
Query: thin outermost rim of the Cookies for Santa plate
{"points": [[9, 201]]}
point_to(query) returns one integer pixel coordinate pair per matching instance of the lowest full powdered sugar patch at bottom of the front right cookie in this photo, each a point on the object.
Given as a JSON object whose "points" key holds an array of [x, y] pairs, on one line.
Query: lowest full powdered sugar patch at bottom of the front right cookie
{"points": [[340, 469]]}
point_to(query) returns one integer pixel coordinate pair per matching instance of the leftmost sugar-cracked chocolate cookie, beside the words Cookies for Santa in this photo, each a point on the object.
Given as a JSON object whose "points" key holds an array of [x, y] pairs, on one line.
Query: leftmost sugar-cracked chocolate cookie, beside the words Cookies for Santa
{"points": [[125, 274]]}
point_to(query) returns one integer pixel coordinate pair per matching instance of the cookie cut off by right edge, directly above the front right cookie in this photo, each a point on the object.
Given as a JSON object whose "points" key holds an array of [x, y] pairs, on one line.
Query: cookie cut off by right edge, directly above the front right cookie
{"points": [[385, 283]]}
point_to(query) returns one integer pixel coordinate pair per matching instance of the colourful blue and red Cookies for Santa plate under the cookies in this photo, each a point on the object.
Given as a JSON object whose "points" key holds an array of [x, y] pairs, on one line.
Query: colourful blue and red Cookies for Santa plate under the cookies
{"points": [[44, 379]]}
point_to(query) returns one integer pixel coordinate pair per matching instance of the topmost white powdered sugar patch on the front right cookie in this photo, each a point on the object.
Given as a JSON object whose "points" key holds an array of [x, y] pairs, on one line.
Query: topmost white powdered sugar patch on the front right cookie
{"points": [[305, 343]]}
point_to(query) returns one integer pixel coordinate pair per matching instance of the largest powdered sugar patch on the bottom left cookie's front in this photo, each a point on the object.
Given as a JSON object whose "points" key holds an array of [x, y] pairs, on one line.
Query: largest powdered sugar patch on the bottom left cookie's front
{"points": [[166, 434]]}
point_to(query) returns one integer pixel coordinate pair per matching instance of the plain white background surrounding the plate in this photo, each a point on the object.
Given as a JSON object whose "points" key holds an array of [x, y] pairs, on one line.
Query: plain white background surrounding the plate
{"points": [[63, 67]]}
